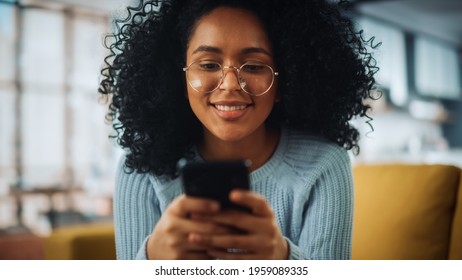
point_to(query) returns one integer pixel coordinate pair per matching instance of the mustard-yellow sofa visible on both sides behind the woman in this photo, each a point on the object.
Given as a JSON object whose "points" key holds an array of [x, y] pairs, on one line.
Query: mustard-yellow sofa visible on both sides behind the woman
{"points": [[401, 212]]}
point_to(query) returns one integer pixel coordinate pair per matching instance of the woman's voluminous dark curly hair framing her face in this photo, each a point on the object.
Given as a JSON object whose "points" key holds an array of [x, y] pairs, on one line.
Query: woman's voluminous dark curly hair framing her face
{"points": [[325, 71]]}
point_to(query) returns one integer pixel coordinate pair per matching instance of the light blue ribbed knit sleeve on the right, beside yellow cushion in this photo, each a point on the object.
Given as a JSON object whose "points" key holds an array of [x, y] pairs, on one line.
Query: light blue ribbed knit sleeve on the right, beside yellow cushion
{"points": [[328, 213]]}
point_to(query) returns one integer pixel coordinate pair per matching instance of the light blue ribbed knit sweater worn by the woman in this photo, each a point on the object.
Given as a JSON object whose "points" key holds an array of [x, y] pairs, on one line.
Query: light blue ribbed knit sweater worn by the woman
{"points": [[307, 182]]}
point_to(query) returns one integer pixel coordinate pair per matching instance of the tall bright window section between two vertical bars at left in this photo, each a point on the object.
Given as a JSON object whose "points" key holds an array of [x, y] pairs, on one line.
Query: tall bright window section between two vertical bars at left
{"points": [[43, 98]]}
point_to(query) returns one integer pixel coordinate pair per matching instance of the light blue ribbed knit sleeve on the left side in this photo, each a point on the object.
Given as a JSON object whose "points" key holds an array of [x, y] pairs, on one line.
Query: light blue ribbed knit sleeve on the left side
{"points": [[135, 213]]}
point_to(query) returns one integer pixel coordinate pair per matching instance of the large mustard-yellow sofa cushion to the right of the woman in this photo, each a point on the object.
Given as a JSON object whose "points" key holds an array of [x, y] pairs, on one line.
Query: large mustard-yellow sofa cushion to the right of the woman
{"points": [[403, 211]]}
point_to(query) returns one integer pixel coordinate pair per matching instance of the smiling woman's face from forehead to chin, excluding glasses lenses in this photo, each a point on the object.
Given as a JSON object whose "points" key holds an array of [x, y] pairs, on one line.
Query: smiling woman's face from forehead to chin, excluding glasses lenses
{"points": [[230, 37]]}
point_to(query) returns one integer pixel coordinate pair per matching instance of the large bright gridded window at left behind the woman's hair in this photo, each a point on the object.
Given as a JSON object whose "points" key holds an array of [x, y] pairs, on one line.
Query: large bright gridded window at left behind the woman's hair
{"points": [[52, 128]]}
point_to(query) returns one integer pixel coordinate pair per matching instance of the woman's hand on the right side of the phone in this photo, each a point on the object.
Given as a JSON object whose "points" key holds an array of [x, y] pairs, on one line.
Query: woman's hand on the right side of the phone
{"points": [[259, 236]]}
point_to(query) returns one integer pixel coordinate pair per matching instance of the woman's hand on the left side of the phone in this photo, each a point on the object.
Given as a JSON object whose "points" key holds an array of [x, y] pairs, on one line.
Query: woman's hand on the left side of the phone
{"points": [[170, 238]]}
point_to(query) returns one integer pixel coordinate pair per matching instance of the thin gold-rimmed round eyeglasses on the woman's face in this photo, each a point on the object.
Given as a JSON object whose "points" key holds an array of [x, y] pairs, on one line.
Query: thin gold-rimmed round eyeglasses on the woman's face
{"points": [[206, 76]]}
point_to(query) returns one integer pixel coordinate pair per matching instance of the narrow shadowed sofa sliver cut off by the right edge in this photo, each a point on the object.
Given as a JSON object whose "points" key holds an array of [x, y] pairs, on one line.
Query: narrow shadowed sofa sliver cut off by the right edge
{"points": [[455, 250]]}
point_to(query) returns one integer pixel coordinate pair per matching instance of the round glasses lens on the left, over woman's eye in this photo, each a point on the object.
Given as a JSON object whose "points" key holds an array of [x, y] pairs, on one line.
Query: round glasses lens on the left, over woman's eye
{"points": [[204, 76]]}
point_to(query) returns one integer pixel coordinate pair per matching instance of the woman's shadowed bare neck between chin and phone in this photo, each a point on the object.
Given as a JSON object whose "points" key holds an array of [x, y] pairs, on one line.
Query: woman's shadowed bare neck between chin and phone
{"points": [[257, 147]]}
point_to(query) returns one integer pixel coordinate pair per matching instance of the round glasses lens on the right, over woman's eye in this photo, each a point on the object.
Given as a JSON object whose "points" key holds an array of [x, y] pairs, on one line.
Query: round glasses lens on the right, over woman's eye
{"points": [[256, 78]]}
